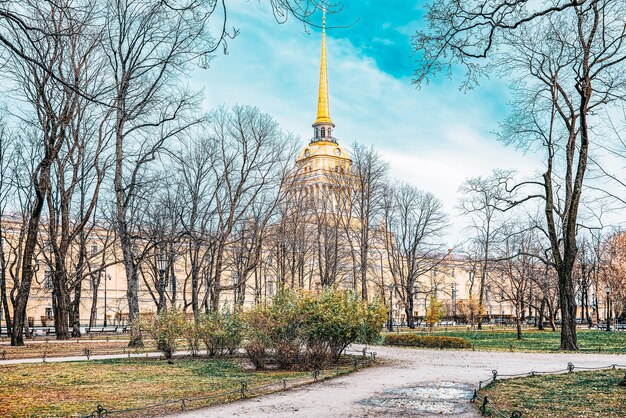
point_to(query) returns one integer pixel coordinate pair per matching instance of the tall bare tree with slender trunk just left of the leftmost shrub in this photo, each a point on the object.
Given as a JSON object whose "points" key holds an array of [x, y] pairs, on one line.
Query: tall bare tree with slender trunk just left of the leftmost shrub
{"points": [[148, 46]]}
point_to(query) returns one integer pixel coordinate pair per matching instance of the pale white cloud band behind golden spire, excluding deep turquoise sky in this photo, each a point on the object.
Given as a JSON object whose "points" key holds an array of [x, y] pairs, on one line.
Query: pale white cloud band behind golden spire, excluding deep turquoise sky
{"points": [[434, 137]]}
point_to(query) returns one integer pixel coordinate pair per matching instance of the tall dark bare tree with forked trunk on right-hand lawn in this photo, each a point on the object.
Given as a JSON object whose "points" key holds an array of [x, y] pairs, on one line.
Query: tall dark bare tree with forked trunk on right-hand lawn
{"points": [[563, 77]]}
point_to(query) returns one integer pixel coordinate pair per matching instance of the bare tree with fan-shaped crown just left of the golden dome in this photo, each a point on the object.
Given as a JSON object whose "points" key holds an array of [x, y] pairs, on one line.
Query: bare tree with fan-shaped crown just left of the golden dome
{"points": [[252, 156]]}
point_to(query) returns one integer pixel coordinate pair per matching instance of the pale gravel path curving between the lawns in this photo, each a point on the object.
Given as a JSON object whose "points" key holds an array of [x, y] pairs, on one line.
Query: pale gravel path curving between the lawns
{"points": [[422, 383]]}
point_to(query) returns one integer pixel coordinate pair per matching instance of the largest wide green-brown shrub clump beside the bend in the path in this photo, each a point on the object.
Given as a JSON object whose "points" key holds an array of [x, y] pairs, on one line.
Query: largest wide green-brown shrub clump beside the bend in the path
{"points": [[308, 330]]}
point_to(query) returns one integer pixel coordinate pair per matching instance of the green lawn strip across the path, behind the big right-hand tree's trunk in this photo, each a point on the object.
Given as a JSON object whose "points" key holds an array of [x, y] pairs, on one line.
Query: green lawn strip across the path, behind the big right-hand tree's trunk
{"points": [[538, 341]]}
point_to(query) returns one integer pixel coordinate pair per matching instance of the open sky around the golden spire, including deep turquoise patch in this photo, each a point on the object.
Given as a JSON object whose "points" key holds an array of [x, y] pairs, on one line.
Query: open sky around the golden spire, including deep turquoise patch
{"points": [[434, 138]]}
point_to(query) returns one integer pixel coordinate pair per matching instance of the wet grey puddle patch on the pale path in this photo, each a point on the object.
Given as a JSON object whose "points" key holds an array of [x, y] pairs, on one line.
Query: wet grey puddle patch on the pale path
{"points": [[442, 398]]}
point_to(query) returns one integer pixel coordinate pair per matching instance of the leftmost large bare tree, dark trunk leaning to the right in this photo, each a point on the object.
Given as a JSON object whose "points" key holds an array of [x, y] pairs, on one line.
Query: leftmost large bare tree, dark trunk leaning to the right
{"points": [[55, 108]]}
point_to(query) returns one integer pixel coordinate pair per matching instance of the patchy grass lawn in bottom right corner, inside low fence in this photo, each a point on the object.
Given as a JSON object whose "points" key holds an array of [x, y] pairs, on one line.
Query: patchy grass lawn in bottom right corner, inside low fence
{"points": [[578, 394]]}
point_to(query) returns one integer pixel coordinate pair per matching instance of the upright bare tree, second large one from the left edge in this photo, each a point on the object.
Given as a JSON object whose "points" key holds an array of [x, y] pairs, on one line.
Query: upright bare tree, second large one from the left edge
{"points": [[77, 174]]}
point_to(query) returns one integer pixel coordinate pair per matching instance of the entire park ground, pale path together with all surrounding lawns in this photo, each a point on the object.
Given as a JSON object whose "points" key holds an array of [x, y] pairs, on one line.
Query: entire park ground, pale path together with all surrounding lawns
{"points": [[404, 381]]}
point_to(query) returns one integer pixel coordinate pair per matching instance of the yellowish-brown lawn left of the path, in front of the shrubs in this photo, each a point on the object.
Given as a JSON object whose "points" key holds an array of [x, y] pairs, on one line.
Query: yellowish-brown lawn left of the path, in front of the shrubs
{"points": [[76, 388]]}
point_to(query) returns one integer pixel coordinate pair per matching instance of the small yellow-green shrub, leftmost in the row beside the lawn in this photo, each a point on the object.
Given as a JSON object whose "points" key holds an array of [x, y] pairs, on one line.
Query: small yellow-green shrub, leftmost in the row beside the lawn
{"points": [[165, 328]]}
